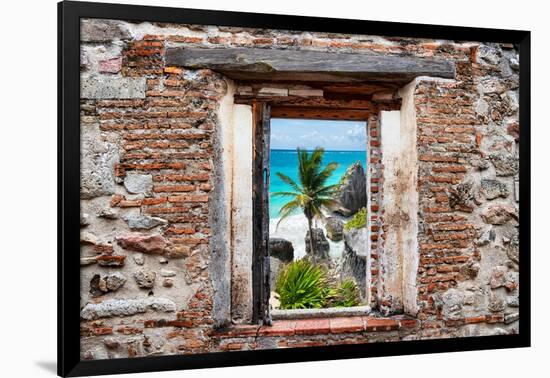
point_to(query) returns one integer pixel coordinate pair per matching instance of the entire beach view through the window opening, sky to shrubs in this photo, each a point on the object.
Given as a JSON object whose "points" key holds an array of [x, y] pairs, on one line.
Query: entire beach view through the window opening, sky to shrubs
{"points": [[318, 176]]}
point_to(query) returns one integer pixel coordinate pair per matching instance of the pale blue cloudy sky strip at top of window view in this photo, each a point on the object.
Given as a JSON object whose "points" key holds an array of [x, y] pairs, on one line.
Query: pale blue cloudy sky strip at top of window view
{"points": [[310, 133]]}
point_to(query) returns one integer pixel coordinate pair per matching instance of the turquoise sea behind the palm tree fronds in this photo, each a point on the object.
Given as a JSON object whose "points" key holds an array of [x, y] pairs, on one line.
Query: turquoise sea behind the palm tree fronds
{"points": [[286, 161]]}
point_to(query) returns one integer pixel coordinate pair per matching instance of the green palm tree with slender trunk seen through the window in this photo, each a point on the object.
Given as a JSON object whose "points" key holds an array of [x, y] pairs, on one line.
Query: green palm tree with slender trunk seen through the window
{"points": [[310, 195]]}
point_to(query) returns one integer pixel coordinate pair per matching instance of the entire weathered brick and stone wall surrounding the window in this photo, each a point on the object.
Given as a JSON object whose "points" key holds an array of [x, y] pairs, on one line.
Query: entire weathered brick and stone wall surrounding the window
{"points": [[150, 188]]}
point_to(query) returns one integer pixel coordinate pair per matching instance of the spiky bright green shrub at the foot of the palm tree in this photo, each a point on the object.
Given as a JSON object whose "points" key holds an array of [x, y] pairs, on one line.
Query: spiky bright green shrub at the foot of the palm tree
{"points": [[303, 285]]}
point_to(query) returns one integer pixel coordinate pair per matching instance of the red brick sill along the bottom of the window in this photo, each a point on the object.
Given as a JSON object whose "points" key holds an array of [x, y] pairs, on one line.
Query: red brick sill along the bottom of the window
{"points": [[318, 326]]}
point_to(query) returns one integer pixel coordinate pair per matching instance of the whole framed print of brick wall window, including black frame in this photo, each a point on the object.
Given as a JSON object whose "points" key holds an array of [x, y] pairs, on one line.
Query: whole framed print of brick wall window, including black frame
{"points": [[245, 186]]}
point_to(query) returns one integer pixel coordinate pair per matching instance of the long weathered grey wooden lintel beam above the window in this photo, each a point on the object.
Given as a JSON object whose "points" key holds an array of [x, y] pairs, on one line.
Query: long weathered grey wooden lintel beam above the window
{"points": [[304, 65]]}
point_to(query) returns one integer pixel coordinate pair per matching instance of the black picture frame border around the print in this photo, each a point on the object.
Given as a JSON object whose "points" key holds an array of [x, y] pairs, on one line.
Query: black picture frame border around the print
{"points": [[69, 15]]}
